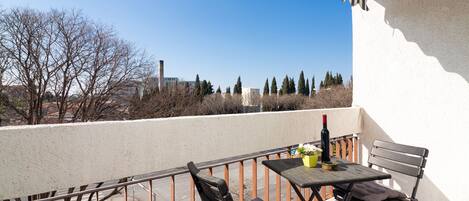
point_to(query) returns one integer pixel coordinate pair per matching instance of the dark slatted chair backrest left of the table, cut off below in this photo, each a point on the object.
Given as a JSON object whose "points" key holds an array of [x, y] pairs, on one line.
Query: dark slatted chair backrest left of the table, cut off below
{"points": [[210, 188]]}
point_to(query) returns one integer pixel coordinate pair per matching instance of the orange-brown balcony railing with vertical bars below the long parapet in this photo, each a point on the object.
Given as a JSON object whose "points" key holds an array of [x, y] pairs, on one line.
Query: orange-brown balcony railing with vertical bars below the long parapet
{"points": [[345, 147]]}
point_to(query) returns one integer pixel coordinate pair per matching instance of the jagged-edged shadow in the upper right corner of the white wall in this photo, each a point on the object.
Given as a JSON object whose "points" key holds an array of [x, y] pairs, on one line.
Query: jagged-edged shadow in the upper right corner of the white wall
{"points": [[439, 27]]}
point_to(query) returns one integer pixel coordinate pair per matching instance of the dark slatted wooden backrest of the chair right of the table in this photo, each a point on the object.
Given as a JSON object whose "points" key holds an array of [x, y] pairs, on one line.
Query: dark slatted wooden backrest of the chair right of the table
{"points": [[405, 159]]}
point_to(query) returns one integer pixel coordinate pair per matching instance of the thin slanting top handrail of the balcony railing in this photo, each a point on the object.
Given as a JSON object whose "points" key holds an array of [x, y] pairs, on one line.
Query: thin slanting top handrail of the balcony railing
{"points": [[182, 170]]}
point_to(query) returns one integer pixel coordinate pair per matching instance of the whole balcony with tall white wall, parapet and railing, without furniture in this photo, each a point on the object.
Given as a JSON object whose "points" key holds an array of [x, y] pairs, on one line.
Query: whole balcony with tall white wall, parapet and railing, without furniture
{"points": [[410, 81]]}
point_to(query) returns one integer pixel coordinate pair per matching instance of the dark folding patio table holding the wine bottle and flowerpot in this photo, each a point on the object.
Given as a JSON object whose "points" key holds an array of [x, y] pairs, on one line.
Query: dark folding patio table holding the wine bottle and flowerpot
{"points": [[346, 172]]}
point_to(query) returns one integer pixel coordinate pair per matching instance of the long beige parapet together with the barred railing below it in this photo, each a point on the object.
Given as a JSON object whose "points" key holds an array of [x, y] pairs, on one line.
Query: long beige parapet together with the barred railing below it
{"points": [[145, 159]]}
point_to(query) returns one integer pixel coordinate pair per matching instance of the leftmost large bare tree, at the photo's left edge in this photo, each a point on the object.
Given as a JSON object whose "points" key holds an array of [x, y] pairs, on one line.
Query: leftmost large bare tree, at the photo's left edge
{"points": [[29, 41]]}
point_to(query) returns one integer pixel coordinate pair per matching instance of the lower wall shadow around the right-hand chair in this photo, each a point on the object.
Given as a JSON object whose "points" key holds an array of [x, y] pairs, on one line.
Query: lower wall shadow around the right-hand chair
{"points": [[371, 131]]}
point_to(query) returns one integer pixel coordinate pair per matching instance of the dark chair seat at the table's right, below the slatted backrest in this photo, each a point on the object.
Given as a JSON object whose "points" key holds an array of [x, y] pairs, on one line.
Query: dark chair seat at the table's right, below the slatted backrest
{"points": [[370, 191]]}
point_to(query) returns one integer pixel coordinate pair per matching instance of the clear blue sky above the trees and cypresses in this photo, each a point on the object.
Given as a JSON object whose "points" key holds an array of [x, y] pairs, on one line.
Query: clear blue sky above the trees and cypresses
{"points": [[223, 39]]}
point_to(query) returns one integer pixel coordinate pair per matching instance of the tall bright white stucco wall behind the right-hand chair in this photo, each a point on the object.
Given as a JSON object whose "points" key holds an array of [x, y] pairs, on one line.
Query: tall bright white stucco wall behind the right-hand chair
{"points": [[411, 73]]}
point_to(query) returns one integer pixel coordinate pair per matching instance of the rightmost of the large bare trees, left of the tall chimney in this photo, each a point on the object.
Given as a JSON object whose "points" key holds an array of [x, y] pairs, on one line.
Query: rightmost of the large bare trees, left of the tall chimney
{"points": [[112, 69]]}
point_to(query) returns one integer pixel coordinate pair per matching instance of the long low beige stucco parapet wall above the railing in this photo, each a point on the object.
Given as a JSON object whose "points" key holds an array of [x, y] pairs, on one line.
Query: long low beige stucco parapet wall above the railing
{"points": [[35, 159]]}
